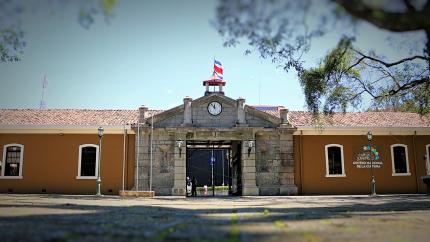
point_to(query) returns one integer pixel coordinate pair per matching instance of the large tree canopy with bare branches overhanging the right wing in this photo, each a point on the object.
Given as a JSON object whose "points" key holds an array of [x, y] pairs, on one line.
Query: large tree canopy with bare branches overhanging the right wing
{"points": [[346, 76]]}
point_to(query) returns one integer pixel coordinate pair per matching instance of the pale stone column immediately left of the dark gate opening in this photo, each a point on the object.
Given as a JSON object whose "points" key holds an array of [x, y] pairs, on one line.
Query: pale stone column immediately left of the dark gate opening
{"points": [[179, 166]]}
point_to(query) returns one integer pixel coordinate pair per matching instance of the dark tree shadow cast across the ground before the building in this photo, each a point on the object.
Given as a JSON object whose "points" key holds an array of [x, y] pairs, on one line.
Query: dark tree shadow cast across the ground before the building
{"points": [[158, 222]]}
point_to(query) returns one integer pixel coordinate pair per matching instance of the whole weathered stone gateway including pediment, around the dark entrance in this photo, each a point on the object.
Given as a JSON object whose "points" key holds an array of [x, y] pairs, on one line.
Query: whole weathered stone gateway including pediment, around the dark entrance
{"points": [[266, 168]]}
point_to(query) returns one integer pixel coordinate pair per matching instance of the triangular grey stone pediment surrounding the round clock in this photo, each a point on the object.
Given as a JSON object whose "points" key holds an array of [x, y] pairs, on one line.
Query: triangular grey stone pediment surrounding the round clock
{"points": [[199, 116]]}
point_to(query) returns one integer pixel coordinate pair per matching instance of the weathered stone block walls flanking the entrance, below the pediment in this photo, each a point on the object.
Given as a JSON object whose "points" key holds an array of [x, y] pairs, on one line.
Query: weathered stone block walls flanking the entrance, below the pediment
{"points": [[267, 168]]}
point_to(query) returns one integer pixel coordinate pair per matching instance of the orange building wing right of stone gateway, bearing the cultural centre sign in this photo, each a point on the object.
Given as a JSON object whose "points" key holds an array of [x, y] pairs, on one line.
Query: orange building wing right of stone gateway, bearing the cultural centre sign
{"points": [[400, 140]]}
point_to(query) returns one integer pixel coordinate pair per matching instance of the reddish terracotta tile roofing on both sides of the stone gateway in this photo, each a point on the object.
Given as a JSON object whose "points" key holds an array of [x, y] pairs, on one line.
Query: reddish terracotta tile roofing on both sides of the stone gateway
{"points": [[87, 117]]}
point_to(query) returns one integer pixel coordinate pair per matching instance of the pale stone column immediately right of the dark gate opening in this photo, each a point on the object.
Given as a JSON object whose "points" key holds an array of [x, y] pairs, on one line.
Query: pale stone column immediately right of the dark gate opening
{"points": [[249, 187]]}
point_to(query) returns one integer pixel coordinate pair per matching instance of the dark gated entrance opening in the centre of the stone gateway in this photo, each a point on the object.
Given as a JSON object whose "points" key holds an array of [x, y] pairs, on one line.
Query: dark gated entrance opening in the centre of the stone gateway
{"points": [[215, 166]]}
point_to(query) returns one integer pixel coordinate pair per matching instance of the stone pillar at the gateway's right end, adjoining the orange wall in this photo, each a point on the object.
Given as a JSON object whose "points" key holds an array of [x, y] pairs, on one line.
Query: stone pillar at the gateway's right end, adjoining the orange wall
{"points": [[286, 174]]}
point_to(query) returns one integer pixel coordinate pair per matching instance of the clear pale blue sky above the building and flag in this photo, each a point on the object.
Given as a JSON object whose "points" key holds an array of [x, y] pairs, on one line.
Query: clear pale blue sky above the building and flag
{"points": [[153, 54]]}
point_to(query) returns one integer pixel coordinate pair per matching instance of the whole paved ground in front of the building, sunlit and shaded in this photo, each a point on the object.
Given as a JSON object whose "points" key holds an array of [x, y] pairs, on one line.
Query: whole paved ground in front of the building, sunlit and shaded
{"points": [[295, 218]]}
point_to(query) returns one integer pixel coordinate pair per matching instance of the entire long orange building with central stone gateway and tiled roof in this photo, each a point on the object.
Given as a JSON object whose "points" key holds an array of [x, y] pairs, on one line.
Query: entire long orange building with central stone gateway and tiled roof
{"points": [[261, 150]]}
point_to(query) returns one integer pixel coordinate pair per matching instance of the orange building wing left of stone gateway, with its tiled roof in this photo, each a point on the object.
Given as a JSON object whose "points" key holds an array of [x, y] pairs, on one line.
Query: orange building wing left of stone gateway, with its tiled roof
{"points": [[44, 151]]}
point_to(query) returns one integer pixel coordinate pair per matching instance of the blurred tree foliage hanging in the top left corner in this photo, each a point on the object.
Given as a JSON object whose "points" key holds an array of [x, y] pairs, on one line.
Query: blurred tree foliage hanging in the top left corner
{"points": [[12, 36]]}
